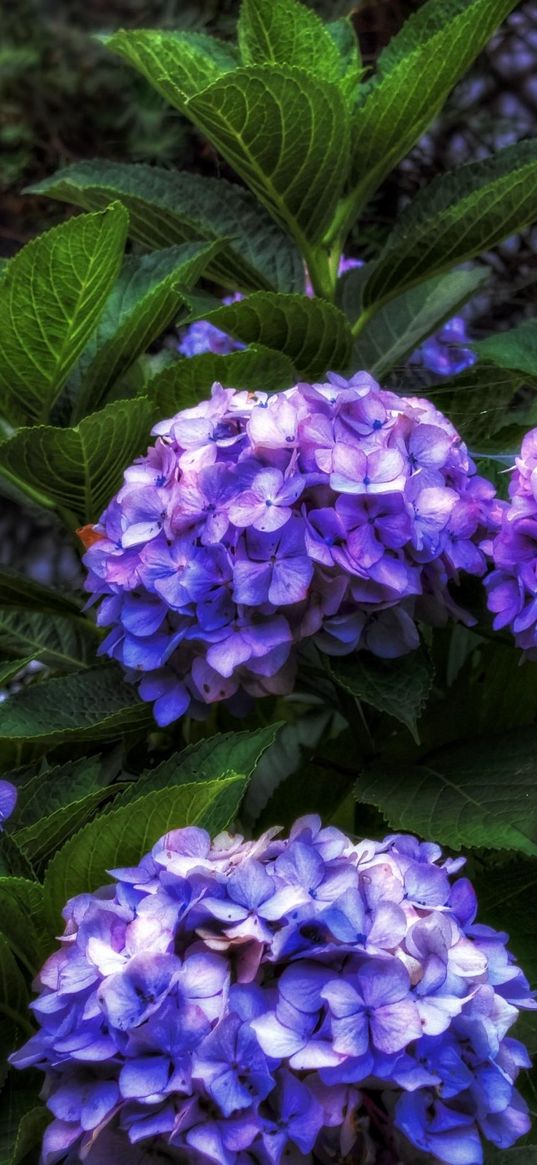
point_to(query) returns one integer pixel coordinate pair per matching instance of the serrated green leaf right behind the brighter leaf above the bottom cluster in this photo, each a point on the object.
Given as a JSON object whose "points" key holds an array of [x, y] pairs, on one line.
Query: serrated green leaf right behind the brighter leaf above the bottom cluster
{"points": [[216, 759]]}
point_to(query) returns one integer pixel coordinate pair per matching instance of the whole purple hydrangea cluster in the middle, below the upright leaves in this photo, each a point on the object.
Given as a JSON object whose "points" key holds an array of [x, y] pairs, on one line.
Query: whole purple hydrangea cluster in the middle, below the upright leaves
{"points": [[337, 513]]}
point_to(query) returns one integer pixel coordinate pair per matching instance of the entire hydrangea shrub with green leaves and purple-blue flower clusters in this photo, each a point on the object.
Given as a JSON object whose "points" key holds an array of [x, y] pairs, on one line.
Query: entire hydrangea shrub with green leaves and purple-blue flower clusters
{"points": [[313, 594]]}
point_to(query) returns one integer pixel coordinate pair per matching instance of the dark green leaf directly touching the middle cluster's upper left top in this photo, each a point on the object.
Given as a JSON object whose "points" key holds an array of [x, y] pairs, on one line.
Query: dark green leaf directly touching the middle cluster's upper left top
{"points": [[190, 380]]}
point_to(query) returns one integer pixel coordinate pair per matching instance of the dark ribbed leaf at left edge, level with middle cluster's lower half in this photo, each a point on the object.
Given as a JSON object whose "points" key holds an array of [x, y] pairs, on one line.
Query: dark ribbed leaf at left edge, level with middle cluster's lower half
{"points": [[65, 645]]}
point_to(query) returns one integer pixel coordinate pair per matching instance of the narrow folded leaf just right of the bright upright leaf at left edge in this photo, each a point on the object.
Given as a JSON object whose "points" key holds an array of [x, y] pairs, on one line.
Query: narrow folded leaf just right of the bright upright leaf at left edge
{"points": [[140, 307]]}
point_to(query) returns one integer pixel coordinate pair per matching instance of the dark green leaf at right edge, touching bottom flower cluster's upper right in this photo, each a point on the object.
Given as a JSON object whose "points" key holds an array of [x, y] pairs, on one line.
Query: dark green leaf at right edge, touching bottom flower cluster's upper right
{"points": [[505, 894]]}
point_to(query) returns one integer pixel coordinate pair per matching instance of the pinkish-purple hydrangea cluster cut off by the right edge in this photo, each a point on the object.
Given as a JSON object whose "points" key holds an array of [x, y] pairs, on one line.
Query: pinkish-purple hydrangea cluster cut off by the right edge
{"points": [[513, 585]]}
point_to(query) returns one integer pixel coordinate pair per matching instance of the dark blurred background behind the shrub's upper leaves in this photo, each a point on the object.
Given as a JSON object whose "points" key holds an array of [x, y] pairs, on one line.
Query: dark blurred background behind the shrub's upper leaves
{"points": [[63, 98]]}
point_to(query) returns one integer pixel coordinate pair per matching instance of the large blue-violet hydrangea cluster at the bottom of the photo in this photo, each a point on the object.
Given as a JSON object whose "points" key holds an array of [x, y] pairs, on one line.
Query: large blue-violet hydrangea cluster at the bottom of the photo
{"points": [[257, 1002]]}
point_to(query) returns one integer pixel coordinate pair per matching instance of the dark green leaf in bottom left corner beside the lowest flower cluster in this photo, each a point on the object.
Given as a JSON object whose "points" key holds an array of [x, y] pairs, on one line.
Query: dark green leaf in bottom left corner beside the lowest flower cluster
{"points": [[23, 1119]]}
